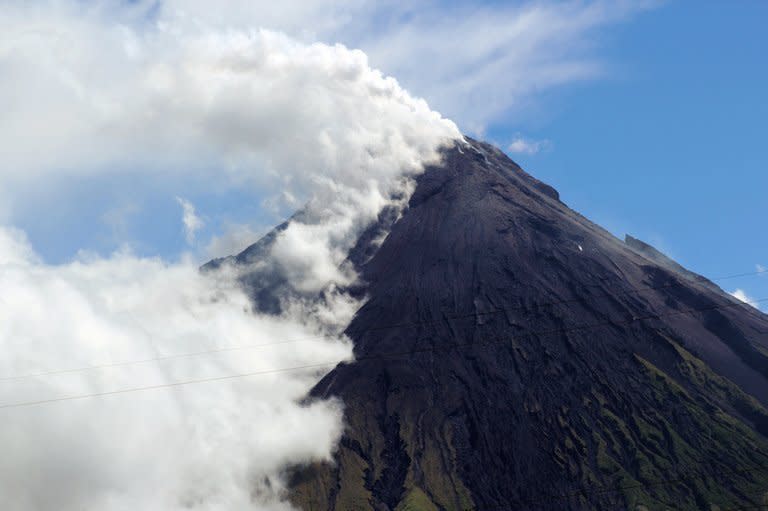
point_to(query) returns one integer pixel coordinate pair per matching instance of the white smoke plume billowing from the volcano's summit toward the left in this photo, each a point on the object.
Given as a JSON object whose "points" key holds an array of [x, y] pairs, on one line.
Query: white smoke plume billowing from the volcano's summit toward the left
{"points": [[314, 122]]}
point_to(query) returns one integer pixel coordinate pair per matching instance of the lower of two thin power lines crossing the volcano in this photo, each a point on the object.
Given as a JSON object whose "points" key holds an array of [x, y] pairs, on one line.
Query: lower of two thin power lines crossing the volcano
{"points": [[369, 358]]}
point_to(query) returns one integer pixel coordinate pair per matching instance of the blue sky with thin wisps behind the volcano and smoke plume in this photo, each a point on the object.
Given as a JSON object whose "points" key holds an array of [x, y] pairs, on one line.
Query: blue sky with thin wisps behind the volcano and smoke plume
{"points": [[650, 120]]}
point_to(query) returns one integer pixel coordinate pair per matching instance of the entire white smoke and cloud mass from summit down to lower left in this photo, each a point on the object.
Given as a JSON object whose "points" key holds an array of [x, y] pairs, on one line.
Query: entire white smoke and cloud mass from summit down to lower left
{"points": [[308, 124]]}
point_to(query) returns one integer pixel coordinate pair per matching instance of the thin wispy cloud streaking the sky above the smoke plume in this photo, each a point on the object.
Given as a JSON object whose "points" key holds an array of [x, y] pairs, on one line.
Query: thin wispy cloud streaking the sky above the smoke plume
{"points": [[475, 63]]}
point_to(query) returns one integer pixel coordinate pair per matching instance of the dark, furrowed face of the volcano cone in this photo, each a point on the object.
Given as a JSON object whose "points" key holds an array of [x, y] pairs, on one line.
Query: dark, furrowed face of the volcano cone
{"points": [[513, 355]]}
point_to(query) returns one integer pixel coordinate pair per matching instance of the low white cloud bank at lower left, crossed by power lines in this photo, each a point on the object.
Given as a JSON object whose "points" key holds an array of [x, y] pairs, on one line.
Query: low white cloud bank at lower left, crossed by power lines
{"points": [[208, 446]]}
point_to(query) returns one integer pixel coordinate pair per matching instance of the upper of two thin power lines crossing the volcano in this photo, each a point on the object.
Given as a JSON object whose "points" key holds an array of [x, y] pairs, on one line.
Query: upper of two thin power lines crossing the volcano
{"points": [[373, 329]]}
